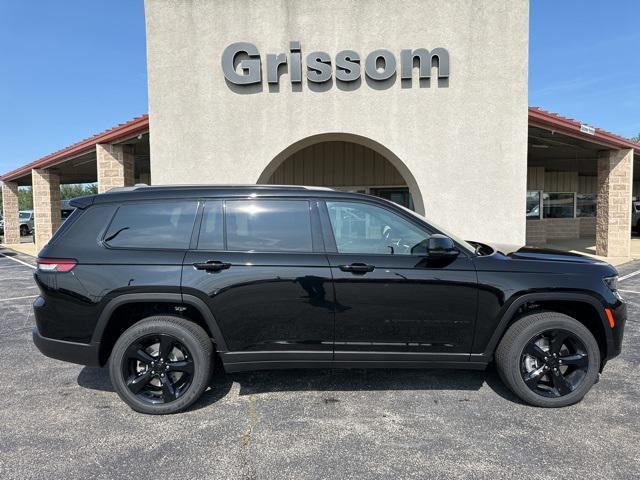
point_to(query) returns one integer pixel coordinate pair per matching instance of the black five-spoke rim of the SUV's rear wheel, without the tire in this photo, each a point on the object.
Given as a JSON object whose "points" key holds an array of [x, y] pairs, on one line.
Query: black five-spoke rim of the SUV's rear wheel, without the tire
{"points": [[158, 368]]}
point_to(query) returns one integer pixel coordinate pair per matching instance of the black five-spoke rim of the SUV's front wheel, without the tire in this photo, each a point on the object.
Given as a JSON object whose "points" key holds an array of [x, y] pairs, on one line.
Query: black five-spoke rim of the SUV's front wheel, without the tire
{"points": [[554, 363]]}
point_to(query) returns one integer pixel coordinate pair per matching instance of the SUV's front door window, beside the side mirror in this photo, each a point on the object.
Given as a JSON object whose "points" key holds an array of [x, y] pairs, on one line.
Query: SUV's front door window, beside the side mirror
{"points": [[368, 229]]}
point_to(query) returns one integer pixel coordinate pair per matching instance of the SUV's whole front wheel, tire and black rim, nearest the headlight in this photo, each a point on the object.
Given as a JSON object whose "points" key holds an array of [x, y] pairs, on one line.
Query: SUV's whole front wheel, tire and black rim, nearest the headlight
{"points": [[551, 381]]}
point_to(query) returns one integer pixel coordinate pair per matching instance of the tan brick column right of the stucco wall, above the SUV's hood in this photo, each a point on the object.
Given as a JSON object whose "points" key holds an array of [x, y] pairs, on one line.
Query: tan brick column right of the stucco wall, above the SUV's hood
{"points": [[613, 218]]}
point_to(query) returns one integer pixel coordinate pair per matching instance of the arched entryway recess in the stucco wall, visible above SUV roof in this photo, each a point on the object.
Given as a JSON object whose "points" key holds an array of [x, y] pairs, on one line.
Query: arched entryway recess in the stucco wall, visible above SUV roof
{"points": [[345, 162]]}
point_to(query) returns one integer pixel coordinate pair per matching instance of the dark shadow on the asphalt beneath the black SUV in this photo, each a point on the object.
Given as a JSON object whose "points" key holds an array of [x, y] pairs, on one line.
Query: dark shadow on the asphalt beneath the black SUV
{"points": [[327, 380]]}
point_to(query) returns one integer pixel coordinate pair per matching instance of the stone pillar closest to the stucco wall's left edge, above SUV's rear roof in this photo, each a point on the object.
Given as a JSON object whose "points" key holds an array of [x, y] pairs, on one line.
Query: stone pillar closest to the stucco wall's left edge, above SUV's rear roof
{"points": [[115, 166]]}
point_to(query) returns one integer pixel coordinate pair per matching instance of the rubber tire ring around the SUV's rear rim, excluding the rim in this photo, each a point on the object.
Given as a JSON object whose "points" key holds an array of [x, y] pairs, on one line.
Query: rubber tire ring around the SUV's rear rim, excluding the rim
{"points": [[160, 325]]}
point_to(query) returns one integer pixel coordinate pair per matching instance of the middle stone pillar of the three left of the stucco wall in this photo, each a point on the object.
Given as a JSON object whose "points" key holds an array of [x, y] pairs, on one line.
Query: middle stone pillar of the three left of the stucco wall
{"points": [[46, 204]]}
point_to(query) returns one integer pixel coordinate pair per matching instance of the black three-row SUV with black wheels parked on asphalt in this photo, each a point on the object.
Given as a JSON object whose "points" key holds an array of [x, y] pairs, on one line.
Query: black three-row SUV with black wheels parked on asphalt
{"points": [[161, 282]]}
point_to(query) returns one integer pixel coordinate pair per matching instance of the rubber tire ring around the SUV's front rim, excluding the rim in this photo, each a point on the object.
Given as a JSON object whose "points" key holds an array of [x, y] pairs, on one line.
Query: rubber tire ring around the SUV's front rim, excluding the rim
{"points": [[552, 321]]}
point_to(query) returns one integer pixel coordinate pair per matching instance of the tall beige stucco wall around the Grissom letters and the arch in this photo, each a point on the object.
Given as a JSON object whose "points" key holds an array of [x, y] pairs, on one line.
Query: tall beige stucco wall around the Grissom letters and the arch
{"points": [[464, 144]]}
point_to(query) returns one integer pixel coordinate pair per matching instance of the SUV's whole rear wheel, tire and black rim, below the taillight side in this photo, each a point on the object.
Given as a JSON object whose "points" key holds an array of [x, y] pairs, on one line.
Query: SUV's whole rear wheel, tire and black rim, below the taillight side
{"points": [[161, 386]]}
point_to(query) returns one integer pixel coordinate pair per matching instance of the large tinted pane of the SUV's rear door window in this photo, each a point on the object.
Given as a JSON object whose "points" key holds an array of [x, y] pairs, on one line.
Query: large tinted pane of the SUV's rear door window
{"points": [[268, 226]]}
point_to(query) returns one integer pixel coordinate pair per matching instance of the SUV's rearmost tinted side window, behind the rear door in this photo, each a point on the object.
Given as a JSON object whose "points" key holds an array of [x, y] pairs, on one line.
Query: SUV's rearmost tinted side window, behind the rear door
{"points": [[152, 225]]}
